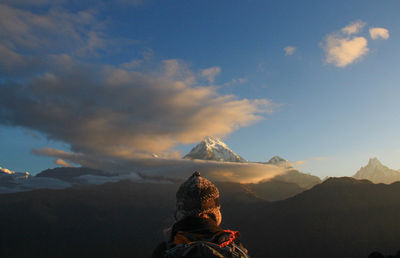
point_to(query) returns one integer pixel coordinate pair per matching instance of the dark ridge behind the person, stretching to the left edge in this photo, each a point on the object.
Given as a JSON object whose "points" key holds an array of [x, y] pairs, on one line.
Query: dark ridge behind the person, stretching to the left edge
{"points": [[123, 219]]}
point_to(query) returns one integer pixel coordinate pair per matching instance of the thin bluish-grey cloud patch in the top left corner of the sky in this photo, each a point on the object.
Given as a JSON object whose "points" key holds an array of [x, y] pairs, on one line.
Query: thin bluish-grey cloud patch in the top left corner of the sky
{"points": [[54, 30]]}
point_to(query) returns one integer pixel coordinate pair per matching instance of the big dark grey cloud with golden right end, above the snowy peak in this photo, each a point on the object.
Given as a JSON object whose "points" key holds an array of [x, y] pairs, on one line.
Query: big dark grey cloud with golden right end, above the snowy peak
{"points": [[116, 112]]}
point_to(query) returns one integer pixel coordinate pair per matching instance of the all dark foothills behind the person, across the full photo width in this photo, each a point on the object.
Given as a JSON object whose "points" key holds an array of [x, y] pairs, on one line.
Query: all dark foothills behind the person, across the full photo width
{"points": [[342, 217]]}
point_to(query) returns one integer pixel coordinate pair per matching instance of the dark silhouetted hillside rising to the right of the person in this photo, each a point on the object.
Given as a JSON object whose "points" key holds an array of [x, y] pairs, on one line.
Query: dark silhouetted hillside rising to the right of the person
{"points": [[341, 217]]}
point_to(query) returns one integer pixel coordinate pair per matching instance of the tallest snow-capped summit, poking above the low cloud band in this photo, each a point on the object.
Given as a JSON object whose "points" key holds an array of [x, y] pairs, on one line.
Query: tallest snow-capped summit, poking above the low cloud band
{"points": [[212, 148]]}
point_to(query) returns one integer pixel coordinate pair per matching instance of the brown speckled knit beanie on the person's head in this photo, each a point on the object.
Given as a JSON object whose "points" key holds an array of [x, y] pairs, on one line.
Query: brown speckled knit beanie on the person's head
{"points": [[197, 196]]}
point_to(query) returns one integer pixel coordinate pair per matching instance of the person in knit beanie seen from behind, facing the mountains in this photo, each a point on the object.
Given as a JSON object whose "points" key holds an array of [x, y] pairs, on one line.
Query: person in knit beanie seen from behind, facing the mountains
{"points": [[197, 231]]}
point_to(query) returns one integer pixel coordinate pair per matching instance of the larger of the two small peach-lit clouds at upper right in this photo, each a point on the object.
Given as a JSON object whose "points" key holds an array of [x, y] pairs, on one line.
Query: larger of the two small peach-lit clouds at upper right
{"points": [[342, 49]]}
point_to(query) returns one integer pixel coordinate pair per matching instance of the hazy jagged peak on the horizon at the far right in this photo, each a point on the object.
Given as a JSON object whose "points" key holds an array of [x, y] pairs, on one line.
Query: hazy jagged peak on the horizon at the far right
{"points": [[376, 172]]}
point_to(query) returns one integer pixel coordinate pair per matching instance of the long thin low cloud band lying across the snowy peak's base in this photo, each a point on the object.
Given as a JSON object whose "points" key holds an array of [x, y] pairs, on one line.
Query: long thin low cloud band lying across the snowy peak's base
{"points": [[175, 169]]}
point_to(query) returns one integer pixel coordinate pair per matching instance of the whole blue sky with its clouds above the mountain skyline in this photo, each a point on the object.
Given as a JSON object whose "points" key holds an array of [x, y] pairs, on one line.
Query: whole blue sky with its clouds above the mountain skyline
{"points": [[315, 82]]}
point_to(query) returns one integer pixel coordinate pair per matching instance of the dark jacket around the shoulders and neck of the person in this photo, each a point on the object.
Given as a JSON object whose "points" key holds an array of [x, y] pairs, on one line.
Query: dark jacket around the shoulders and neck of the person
{"points": [[196, 229]]}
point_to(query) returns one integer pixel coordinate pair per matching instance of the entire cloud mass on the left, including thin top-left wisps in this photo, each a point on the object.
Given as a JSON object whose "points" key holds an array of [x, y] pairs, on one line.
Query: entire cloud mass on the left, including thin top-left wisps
{"points": [[106, 111]]}
